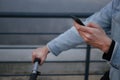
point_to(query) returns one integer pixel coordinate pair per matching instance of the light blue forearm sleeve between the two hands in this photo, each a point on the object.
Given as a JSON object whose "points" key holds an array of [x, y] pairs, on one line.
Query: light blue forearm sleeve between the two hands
{"points": [[65, 41]]}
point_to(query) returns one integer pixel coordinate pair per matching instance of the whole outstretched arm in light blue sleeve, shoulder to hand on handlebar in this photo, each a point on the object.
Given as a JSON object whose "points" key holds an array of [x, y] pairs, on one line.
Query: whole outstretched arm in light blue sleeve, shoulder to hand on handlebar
{"points": [[71, 37]]}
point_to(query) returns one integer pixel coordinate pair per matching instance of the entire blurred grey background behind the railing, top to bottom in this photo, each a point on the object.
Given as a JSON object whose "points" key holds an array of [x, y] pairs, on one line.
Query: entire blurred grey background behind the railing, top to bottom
{"points": [[16, 49]]}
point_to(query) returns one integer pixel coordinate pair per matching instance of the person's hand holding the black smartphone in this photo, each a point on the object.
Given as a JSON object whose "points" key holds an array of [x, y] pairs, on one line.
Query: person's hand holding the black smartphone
{"points": [[94, 35]]}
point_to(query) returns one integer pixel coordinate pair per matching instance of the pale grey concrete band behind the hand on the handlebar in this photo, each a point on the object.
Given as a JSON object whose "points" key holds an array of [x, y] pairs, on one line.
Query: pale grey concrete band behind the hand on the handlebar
{"points": [[25, 54]]}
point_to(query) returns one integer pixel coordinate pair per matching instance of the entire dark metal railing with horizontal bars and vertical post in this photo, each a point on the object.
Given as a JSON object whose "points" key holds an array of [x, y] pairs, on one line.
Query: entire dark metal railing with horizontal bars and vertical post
{"points": [[46, 15]]}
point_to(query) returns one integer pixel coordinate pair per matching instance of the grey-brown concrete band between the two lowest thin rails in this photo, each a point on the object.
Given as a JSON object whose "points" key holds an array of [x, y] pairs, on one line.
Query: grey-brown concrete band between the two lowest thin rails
{"points": [[53, 68]]}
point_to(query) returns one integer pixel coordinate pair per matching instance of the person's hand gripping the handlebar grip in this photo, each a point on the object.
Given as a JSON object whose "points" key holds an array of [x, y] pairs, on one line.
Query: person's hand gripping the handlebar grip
{"points": [[40, 53]]}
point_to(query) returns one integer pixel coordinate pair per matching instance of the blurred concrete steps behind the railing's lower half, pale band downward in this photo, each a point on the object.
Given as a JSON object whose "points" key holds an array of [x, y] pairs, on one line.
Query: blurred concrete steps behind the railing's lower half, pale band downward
{"points": [[15, 64]]}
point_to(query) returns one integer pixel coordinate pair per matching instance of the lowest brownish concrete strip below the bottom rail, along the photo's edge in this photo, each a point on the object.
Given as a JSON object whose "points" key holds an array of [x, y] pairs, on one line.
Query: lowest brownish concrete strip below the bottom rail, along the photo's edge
{"points": [[91, 77]]}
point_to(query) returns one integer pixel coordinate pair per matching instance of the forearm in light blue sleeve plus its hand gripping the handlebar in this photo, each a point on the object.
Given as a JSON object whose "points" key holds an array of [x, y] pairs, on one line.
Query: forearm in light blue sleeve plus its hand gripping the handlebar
{"points": [[67, 40]]}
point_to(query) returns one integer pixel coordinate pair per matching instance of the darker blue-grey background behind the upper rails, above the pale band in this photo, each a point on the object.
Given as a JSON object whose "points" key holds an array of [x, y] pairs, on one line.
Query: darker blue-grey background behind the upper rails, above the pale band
{"points": [[40, 25]]}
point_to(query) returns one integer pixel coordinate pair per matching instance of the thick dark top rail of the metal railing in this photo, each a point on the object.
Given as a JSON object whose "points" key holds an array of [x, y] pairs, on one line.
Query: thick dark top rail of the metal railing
{"points": [[41, 15]]}
